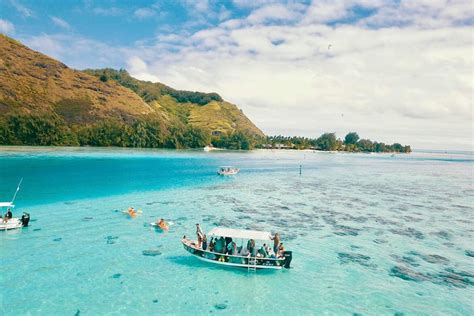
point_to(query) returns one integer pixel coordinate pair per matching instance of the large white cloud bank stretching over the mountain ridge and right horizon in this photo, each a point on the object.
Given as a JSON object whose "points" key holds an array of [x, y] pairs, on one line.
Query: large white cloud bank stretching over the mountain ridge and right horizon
{"points": [[402, 73]]}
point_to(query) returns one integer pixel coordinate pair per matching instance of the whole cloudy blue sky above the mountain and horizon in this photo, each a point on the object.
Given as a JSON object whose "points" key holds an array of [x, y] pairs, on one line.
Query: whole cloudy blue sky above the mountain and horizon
{"points": [[393, 71]]}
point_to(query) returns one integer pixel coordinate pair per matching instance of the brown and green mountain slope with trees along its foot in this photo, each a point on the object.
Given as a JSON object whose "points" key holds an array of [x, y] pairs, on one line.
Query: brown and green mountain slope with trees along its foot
{"points": [[43, 102]]}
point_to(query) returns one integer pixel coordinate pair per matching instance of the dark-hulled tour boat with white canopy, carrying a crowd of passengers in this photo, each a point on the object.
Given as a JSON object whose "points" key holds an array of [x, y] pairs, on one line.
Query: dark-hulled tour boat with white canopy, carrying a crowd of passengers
{"points": [[248, 261]]}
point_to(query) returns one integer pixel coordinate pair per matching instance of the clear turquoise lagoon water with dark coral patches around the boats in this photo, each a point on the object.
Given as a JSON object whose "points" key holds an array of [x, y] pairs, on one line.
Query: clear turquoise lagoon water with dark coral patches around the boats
{"points": [[371, 234]]}
